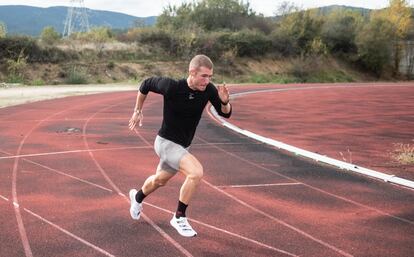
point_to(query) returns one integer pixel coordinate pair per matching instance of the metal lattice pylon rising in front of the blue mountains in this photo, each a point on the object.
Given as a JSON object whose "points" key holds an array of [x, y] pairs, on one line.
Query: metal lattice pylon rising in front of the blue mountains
{"points": [[76, 18]]}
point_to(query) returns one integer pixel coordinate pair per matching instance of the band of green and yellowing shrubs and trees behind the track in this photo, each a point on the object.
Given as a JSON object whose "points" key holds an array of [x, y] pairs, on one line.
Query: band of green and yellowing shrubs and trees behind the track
{"points": [[338, 45]]}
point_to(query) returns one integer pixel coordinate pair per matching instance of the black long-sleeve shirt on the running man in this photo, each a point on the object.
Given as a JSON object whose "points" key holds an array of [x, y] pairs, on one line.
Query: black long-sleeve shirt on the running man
{"points": [[183, 107]]}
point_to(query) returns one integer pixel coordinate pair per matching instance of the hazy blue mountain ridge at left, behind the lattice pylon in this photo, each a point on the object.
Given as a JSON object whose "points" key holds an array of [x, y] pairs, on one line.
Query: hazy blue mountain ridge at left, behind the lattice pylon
{"points": [[28, 20]]}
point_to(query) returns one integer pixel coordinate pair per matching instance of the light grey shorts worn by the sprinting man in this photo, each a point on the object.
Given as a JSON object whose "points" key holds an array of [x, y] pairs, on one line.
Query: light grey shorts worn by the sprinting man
{"points": [[170, 154]]}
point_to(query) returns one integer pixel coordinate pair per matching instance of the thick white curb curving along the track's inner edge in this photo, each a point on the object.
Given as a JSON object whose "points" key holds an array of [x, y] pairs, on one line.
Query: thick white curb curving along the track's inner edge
{"points": [[311, 155]]}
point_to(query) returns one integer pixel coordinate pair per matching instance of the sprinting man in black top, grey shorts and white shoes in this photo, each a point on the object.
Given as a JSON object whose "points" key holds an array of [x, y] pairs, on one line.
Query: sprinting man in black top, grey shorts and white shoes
{"points": [[184, 102]]}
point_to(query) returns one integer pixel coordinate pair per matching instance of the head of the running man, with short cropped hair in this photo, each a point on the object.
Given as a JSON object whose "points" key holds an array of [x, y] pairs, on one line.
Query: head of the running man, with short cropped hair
{"points": [[200, 72]]}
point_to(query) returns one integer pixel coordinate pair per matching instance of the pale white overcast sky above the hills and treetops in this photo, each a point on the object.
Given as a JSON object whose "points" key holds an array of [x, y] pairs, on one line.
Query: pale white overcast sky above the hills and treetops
{"points": [[144, 8]]}
